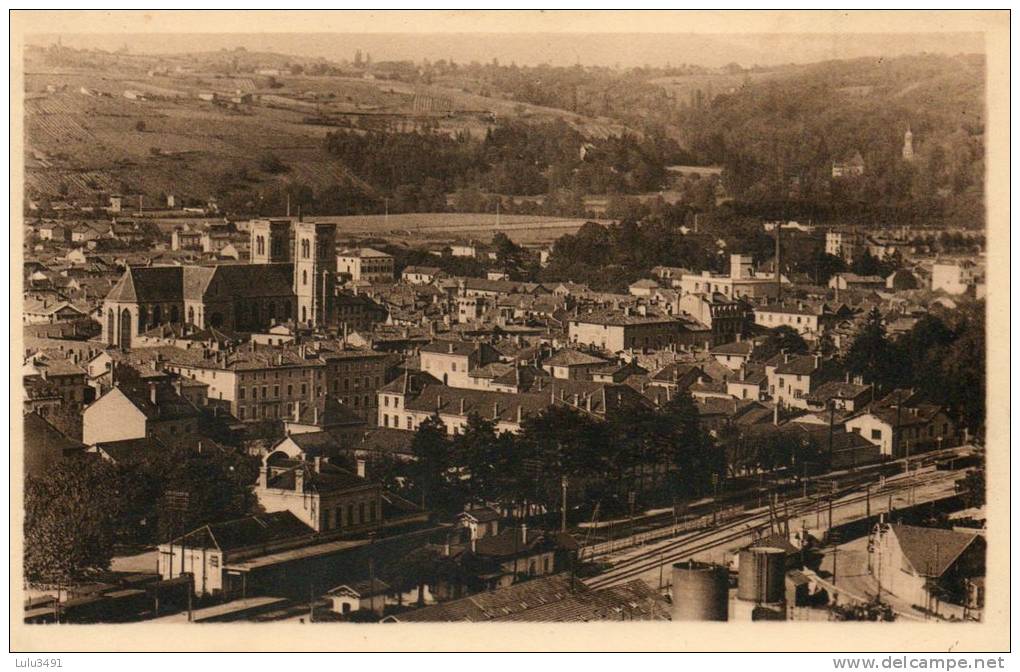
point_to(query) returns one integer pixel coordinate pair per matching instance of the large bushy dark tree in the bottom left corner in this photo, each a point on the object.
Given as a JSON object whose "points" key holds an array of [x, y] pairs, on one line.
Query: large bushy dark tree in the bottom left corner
{"points": [[70, 523]]}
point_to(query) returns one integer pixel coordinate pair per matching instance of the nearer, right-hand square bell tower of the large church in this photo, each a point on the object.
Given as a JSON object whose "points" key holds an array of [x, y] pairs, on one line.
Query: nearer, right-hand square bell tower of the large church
{"points": [[315, 272]]}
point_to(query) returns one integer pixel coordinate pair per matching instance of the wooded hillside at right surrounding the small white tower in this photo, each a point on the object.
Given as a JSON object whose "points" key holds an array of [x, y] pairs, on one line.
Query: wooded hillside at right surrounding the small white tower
{"points": [[779, 139]]}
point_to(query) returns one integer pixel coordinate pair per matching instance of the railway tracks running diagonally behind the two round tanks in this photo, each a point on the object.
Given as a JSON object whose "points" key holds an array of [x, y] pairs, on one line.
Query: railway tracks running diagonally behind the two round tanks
{"points": [[731, 532]]}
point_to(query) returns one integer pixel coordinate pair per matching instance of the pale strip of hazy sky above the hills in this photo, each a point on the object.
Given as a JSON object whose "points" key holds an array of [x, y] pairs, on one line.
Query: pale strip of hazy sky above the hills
{"points": [[560, 48]]}
